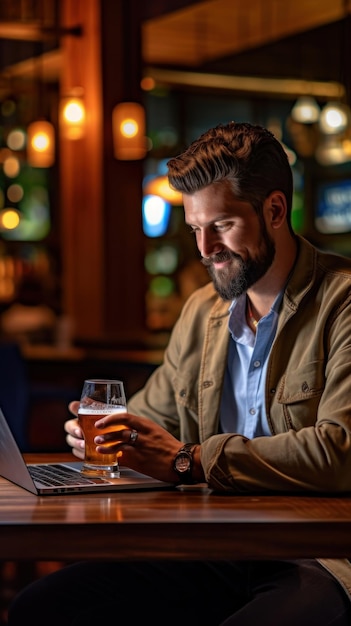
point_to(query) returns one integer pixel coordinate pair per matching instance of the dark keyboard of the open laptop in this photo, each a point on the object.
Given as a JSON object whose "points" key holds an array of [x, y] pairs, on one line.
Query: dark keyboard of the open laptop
{"points": [[55, 475]]}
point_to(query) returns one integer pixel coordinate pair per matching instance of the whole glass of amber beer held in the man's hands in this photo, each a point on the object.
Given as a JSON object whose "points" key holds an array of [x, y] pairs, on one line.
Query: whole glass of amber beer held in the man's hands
{"points": [[100, 397]]}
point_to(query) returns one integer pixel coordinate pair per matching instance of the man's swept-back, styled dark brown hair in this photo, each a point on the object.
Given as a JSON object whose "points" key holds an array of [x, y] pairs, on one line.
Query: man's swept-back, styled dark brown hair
{"points": [[248, 156]]}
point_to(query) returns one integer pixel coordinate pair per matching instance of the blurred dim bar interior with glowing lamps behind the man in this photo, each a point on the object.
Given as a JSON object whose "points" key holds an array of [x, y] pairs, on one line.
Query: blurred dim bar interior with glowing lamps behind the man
{"points": [[95, 97]]}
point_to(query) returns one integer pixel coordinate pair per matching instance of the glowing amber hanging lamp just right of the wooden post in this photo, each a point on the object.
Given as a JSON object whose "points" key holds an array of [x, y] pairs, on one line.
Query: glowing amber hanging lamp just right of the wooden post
{"points": [[128, 123]]}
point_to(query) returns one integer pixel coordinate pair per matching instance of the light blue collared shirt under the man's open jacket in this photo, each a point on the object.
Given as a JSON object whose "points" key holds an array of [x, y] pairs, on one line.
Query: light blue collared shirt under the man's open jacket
{"points": [[243, 398]]}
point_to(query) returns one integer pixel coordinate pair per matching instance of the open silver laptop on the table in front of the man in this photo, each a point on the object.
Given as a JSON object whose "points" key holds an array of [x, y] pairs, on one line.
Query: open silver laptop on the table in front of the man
{"points": [[60, 478]]}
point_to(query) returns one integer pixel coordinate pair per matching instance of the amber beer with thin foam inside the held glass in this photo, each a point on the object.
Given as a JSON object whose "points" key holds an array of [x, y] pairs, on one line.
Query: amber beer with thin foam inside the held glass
{"points": [[95, 461]]}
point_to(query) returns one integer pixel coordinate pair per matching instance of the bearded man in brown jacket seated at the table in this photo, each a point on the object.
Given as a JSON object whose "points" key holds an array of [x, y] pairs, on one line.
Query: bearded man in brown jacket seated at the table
{"points": [[255, 381]]}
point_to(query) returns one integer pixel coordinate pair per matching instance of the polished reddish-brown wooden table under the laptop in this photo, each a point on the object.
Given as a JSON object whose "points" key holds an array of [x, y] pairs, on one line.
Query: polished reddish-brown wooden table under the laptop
{"points": [[191, 524]]}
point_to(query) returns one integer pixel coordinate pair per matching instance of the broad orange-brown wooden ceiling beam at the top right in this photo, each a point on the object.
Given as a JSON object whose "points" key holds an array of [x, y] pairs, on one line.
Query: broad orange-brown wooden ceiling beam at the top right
{"points": [[216, 28]]}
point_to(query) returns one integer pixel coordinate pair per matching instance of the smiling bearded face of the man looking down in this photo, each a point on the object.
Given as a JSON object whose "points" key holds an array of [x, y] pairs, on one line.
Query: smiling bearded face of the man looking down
{"points": [[235, 246]]}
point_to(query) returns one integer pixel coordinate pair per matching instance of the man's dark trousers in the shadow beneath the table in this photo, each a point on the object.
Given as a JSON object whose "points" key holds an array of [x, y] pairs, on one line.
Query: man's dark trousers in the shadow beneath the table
{"points": [[270, 593]]}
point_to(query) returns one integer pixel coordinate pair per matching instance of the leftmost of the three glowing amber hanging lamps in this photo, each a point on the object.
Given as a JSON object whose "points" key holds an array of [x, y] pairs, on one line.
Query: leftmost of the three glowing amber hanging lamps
{"points": [[41, 144]]}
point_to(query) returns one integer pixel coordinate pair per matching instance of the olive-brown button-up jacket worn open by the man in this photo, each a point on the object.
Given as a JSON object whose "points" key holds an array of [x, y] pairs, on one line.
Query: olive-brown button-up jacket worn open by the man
{"points": [[308, 388]]}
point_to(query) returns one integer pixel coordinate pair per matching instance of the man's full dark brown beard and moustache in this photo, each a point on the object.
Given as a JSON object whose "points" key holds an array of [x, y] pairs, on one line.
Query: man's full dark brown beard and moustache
{"points": [[234, 280]]}
